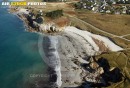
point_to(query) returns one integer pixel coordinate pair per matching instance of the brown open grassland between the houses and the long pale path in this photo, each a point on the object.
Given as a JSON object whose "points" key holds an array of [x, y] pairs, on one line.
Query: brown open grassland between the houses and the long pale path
{"points": [[115, 24]]}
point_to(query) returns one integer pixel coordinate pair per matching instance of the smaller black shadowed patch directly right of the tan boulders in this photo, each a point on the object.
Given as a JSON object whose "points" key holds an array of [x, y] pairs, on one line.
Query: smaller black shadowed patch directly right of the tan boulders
{"points": [[104, 63]]}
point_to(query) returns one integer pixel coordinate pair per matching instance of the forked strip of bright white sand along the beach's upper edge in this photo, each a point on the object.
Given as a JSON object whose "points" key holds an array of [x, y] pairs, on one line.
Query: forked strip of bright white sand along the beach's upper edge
{"points": [[88, 37]]}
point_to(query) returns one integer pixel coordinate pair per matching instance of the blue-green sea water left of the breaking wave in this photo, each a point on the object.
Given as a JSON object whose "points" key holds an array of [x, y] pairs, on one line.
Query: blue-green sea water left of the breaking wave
{"points": [[19, 56]]}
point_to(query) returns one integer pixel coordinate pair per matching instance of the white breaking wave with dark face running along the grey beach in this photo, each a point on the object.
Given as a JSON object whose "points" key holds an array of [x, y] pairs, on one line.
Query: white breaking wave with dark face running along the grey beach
{"points": [[48, 50]]}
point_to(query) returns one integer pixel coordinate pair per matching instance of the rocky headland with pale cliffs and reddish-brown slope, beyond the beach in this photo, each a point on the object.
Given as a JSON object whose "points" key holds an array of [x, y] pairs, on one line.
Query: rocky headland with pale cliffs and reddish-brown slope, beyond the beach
{"points": [[49, 26]]}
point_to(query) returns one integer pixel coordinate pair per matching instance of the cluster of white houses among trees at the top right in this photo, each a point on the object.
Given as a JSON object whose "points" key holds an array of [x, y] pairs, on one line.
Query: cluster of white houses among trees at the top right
{"points": [[105, 6]]}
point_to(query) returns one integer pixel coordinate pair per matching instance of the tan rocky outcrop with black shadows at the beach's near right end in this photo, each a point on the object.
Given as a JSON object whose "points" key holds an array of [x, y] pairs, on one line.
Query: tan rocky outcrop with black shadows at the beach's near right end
{"points": [[98, 74]]}
